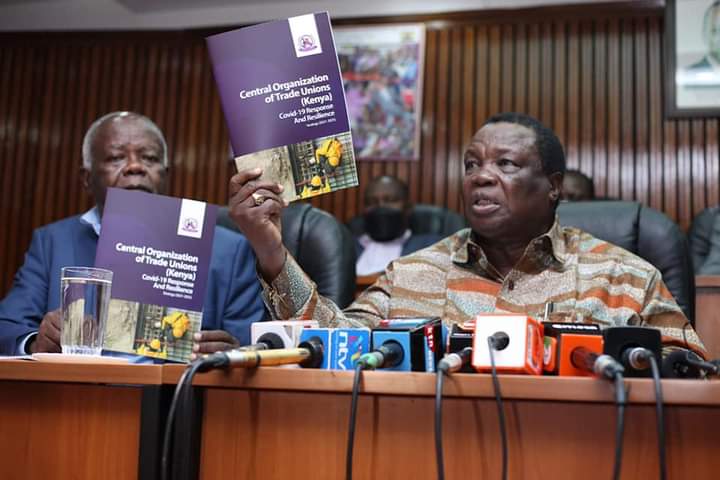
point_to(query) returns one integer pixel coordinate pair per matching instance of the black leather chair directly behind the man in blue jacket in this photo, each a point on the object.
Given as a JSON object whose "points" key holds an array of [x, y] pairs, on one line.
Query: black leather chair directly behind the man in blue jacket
{"points": [[322, 246]]}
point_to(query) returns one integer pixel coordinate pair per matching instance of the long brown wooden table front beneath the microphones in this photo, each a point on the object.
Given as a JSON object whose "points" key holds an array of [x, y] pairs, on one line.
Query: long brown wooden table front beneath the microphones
{"points": [[68, 421]]}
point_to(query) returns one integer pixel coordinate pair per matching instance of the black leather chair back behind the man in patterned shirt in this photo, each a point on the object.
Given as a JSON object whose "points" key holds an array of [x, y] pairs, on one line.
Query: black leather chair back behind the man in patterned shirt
{"points": [[644, 231]]}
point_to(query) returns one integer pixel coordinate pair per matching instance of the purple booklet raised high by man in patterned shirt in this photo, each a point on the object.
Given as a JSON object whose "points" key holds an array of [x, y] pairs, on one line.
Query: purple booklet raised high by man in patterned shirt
{"points": [[282, 94]]}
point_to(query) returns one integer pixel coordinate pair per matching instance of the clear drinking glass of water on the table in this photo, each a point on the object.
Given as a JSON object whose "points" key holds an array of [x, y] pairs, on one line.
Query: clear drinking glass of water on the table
{"points": [[84, 296]]}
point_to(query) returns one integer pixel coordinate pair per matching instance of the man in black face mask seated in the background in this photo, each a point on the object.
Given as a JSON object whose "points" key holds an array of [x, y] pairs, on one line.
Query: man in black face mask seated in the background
{"points": [[387, 226]]}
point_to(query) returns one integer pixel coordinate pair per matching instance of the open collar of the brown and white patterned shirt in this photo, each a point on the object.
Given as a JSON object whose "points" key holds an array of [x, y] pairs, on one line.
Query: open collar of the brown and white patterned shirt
{"points": [[546, 249]]}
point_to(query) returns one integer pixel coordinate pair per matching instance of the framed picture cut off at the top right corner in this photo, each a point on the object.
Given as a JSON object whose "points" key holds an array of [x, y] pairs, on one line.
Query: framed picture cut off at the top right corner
{"points": [[692, 58]]}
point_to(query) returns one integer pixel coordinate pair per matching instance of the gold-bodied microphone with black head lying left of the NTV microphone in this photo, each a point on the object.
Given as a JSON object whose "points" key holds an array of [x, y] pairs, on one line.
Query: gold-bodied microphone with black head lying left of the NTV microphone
{"points": [[308, 354]]}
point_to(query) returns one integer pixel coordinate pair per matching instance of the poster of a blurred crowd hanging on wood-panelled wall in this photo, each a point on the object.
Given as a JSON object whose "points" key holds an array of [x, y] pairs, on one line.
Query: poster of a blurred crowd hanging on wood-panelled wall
{"points": [[382, 72]]}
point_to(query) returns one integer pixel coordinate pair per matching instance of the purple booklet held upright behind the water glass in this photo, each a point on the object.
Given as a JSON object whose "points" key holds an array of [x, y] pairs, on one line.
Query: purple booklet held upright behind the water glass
{"points": [[158, 249]]}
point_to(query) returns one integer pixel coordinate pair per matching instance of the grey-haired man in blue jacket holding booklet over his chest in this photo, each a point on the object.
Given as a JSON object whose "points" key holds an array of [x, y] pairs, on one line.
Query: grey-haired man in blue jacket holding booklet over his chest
{"points": [[123, 150]]}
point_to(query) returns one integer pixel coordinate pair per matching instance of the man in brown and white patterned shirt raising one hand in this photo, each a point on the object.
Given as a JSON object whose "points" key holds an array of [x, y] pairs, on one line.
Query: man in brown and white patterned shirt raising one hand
{"points": [[514, 258]]}
